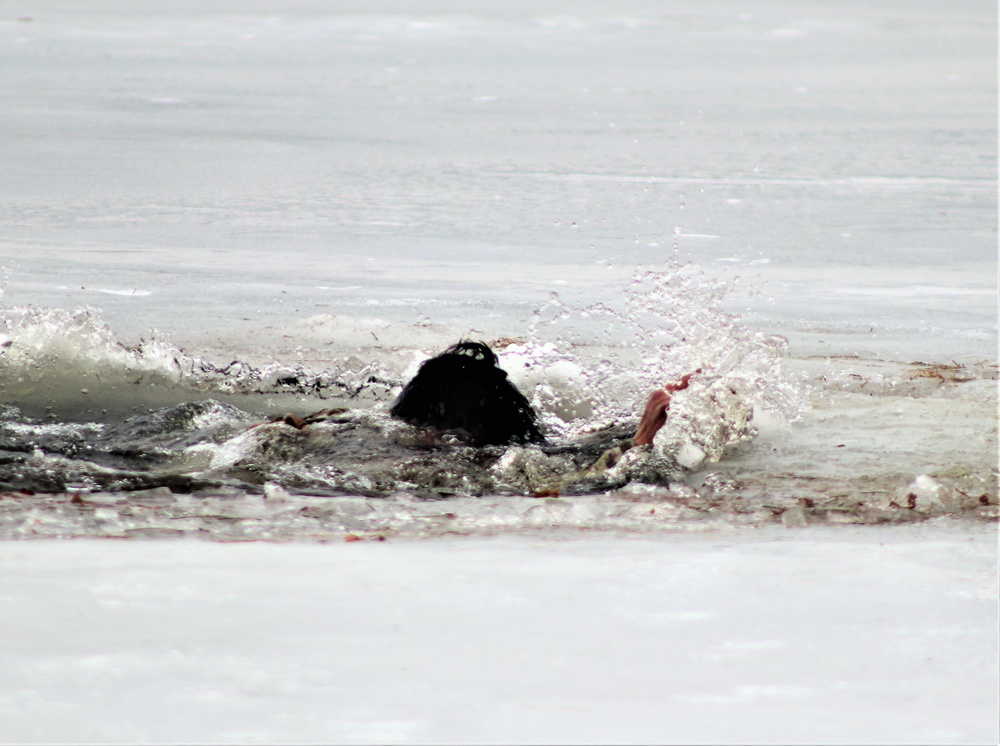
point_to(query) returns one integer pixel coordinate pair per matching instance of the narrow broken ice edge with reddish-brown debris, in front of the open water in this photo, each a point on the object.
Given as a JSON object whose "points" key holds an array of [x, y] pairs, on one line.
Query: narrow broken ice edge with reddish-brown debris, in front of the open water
{"points": [[278, 515]]}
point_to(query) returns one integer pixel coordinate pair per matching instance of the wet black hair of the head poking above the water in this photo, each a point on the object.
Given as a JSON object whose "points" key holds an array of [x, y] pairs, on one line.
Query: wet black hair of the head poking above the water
{"points": [[464, 389]]}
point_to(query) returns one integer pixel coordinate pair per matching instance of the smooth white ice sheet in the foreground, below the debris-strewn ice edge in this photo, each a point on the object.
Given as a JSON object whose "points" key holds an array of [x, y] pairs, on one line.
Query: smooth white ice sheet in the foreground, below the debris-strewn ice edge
{"points": [[826, 635]]}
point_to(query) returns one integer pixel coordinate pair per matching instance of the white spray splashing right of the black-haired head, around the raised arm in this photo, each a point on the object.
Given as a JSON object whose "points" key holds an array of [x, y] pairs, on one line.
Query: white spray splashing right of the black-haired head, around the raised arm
{"points": [[592, 366]]}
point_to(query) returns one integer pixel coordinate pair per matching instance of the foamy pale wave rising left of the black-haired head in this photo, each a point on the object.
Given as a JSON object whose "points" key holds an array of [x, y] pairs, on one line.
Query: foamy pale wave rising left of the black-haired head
{"points": [[70, 365]]}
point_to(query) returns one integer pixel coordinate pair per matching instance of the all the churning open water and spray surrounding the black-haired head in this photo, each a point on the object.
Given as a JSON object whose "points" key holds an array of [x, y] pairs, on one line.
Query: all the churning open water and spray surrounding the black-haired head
{"points": [[587, 370]]}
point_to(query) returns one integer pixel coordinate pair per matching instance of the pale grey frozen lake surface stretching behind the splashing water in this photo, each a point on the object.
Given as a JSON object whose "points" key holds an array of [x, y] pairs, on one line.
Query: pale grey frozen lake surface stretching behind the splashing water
{"points": [[256, 168]]}
